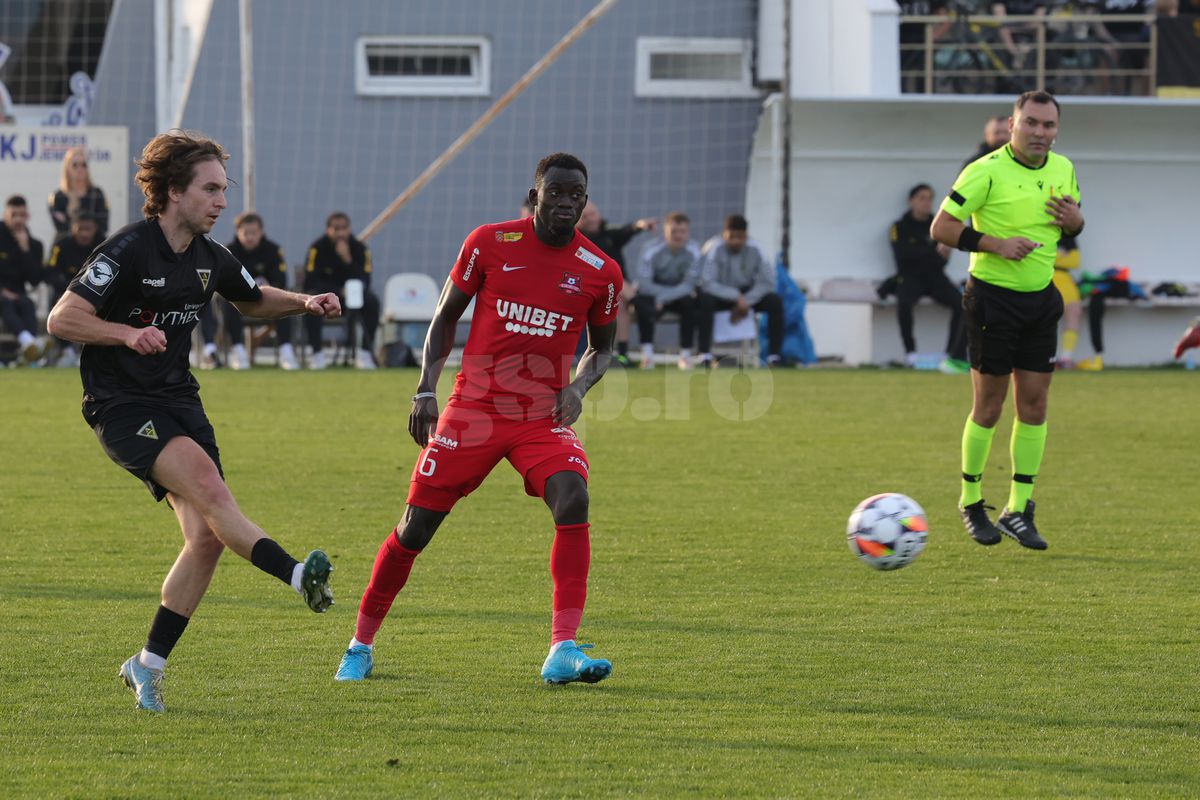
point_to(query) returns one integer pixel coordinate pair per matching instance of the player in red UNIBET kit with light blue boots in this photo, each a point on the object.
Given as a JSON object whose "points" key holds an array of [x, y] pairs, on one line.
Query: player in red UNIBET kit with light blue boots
{"points": [[537, 284]]}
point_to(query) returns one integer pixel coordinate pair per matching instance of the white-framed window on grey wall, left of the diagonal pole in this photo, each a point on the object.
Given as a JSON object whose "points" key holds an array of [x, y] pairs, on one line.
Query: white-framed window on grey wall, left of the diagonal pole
{"points": [[423, 67]]}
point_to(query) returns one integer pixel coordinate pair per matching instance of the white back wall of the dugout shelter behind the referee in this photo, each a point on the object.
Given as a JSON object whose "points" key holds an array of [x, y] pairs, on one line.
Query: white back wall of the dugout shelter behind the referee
{"points": [[855, 161]]}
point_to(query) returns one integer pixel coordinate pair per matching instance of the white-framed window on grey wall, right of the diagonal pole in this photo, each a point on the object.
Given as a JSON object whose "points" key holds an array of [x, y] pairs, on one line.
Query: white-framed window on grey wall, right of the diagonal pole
{"points": [[694, 68]]}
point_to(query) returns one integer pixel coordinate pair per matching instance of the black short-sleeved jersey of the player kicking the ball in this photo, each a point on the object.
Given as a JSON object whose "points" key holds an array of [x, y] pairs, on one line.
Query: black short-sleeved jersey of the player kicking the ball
{"points": [[135, 279]]}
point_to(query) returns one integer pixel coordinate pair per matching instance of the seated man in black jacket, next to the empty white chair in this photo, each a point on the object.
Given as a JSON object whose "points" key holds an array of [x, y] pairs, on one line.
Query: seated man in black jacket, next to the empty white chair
{"points": [[334, 260]]}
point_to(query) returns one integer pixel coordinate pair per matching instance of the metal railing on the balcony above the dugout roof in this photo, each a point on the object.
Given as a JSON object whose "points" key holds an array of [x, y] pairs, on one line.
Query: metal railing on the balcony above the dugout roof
{"points": [[1061, 53]]}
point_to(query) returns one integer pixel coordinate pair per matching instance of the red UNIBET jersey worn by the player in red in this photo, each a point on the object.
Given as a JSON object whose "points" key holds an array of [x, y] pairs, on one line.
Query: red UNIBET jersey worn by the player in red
{"points": [[532, 304]]}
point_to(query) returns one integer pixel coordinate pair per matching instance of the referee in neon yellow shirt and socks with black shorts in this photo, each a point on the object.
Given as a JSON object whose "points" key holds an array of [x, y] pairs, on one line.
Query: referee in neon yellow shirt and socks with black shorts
{"points": [[1021, 201]]}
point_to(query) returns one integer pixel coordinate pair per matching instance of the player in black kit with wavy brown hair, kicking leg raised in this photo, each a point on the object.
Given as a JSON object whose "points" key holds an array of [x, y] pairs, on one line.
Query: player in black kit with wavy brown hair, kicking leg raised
{"points": [[134, 308]]}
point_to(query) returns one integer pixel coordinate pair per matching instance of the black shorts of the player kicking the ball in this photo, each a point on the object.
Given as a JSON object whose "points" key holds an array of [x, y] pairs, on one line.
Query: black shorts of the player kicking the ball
{"points": [[135, 434]]}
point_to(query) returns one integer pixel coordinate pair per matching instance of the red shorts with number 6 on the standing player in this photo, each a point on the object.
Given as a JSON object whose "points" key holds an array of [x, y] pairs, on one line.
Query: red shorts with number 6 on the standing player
{"points": [[467, 446]]}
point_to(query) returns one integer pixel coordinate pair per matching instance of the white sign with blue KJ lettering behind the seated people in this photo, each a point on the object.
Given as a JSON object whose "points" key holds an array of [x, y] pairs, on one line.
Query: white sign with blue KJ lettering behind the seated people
{"points": [[32, 166]]}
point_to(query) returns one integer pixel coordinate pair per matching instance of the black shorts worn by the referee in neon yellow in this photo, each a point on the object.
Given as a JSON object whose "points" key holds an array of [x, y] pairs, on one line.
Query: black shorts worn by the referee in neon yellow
{"points": [[1011, 330]]}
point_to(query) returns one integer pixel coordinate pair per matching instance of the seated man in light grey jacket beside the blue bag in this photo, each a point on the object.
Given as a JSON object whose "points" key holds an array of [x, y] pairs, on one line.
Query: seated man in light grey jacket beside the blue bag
{"points": [[739, 278]]}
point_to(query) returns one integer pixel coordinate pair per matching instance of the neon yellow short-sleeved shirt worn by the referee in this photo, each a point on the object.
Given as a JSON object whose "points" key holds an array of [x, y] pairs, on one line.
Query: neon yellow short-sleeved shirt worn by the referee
{"points": [[1005, 199]]}
